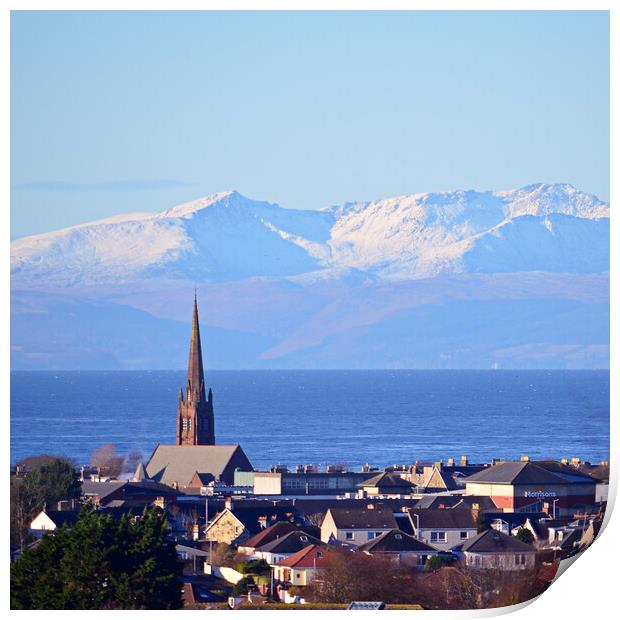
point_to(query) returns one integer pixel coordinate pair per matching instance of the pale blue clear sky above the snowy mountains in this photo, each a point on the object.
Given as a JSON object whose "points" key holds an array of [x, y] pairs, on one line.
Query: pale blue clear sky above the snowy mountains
{"points": [[115, 112]]}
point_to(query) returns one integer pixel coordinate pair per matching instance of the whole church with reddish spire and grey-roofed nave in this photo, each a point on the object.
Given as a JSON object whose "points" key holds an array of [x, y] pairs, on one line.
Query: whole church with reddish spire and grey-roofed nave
{"points": [[195, 454]]}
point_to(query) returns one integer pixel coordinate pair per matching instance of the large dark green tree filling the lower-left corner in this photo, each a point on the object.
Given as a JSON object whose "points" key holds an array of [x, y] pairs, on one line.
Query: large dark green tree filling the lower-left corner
{"points": [[100, 564]]}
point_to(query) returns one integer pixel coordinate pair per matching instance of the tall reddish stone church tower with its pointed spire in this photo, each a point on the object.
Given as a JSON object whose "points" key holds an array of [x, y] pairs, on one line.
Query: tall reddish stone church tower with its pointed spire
{"points": [[195, 420]]}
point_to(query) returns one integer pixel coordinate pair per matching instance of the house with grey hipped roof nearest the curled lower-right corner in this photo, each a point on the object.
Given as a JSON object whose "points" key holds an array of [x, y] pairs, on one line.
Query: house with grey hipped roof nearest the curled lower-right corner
{"points": [[493, 549]]}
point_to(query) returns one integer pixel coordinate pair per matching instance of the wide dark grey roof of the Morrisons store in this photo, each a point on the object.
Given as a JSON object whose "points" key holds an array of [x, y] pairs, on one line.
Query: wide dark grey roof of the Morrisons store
{"points": [[519, 472]]}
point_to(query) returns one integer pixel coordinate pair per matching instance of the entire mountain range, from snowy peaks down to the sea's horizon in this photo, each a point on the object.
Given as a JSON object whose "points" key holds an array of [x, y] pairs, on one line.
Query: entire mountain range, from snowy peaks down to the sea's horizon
{"points": [[464, 279]]}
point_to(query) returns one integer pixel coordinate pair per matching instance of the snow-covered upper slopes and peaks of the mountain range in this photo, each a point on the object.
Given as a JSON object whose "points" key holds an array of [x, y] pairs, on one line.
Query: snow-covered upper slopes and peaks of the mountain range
{"points": [[227, 236]]}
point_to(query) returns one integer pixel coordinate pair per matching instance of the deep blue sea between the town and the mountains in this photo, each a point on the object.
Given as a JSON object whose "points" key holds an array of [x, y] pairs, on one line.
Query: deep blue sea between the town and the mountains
{"points": [[291, 417]]}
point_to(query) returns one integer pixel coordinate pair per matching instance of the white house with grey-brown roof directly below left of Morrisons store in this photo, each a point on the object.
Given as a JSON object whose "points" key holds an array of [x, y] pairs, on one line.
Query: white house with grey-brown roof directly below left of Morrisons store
{"points": [[443, 528]]}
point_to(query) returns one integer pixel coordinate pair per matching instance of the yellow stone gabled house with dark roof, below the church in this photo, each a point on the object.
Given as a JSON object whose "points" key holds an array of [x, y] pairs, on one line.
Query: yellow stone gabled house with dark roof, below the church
{"points": [[235, 526]]}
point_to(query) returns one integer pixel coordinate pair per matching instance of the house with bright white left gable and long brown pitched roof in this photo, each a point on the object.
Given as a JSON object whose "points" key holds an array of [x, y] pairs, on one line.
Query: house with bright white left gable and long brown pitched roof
{"points": [[356, 526]]}
